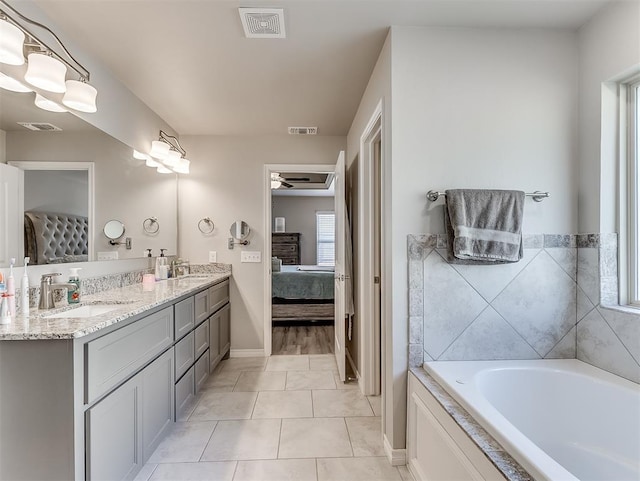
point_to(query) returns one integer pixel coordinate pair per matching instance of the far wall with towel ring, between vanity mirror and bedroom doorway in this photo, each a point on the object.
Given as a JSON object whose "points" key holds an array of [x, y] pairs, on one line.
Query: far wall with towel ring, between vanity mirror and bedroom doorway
{"points": [[226, 183]]}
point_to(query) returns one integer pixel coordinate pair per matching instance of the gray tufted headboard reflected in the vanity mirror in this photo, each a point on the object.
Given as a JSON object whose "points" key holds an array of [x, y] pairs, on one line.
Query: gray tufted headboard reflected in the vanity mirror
{"points": [[52, 238]]}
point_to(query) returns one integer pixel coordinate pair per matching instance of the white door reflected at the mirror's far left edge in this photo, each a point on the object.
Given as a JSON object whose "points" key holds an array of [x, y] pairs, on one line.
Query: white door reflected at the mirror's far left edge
{"points": [[11, 214]]}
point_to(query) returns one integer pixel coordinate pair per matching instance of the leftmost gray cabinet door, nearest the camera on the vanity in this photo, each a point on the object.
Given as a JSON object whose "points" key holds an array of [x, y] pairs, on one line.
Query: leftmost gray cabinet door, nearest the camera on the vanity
{"points": [[113, 427]]}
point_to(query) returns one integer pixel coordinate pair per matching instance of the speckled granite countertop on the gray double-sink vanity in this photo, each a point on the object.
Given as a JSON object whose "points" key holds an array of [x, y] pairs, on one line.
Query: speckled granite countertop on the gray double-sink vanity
{"points": [[128, 301]]}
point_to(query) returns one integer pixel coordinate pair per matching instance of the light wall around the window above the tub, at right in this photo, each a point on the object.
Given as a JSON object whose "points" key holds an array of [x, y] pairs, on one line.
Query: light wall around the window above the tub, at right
{"points": [[609, 50]]}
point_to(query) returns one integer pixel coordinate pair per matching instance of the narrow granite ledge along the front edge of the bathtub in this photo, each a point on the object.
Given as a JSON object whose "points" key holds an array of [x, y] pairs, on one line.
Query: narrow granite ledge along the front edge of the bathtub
{"points": [[509, 467]]}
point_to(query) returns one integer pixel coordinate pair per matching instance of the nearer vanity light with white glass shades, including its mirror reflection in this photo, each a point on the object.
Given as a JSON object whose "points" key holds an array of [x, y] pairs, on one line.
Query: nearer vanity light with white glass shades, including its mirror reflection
{"points": [[46, 68]]}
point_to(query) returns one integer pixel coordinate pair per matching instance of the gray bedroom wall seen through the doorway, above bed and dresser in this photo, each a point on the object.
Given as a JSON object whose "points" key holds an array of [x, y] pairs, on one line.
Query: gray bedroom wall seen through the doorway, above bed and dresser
{"points": [[300, 216]]}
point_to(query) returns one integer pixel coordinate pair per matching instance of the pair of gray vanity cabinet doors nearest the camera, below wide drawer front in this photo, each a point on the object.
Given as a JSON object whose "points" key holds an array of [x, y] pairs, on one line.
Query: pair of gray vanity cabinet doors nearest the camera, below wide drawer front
{"points": [[124, 428]]}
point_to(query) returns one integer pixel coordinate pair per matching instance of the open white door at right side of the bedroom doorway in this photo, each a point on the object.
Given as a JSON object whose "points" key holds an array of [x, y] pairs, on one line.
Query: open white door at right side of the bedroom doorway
{"points": [[340, 291]]}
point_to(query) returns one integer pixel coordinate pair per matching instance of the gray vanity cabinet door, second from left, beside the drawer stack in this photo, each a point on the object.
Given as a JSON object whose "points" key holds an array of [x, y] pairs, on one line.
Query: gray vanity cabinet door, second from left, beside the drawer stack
{"points": [[157, 402]]}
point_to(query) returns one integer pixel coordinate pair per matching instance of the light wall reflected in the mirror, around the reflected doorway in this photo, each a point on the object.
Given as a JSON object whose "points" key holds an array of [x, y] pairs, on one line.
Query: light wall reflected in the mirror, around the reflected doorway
{"points": [[125, 189]]}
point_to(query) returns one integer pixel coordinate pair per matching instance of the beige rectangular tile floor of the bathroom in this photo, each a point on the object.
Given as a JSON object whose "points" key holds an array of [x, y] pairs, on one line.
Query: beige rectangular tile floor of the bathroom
{"points": [[276, 419]]}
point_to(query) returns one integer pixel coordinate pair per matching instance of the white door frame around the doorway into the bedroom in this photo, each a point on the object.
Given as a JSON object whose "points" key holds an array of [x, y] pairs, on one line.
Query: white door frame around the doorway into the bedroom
{"points": [[267, 229]]}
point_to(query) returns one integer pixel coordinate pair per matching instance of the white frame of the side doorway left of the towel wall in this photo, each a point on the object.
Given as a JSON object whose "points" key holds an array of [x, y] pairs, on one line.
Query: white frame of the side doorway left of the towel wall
{"points": [[371, 339]]}
